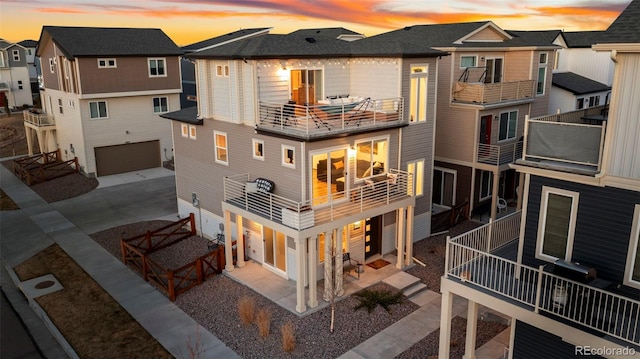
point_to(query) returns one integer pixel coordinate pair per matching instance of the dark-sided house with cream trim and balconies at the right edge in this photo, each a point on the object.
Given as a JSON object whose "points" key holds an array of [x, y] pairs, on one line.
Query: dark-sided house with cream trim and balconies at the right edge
{"points": [[567, 268]]}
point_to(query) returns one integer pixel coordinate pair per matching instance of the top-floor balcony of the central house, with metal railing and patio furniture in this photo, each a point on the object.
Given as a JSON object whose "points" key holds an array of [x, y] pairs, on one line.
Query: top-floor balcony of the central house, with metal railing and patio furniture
{"points": [[330, 118]]}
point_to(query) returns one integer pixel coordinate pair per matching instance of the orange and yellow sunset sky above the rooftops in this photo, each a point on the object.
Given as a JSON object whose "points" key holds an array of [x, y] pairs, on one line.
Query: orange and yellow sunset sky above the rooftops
{"points": [[190, 21]]}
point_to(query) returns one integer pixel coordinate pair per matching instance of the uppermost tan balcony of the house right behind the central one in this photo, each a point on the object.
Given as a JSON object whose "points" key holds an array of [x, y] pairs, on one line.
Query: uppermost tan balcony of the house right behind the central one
{"points": [[486, 94]]}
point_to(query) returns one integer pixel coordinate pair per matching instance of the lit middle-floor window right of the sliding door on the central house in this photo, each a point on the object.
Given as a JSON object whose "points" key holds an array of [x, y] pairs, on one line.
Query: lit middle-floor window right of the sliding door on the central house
{"points": [[372, 157]]}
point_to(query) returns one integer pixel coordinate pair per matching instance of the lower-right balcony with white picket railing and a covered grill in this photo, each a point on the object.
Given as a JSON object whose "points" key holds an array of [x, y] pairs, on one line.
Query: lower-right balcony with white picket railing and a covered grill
{"points": [[484, 259]]}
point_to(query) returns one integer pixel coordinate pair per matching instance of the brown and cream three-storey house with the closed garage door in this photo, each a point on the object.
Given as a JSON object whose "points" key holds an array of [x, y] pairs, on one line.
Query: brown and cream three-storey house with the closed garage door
{"points": [[103, 91]]}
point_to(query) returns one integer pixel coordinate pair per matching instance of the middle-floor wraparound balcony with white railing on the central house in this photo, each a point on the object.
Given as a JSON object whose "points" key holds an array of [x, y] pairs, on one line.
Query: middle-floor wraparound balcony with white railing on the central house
{"points": [[377, 195]]}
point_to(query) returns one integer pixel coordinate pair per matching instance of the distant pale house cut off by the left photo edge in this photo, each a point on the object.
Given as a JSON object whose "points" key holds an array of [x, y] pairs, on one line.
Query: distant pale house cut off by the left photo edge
{"points": [[15, 90]]}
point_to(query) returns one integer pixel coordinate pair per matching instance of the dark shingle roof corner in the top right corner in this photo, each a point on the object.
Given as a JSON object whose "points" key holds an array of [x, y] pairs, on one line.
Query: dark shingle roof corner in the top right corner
{"points": [[626, 28]]}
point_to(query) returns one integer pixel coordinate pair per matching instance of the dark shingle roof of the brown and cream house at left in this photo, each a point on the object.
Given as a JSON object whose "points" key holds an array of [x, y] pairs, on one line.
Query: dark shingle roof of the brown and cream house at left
{"points": [[95, 41]]}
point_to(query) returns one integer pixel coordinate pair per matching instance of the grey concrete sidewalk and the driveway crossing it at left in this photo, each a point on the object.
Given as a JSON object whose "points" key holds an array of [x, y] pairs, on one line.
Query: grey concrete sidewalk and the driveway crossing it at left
{"points": [[38, 224]]}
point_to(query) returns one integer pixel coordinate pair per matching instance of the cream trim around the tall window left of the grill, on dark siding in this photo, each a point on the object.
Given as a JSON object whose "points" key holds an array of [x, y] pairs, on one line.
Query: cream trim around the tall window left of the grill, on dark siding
{"points": [[542, 219]]}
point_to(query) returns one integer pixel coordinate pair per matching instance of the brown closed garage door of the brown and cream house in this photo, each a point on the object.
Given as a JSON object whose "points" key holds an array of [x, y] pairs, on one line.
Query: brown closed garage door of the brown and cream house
{"points": [[128, 157]]}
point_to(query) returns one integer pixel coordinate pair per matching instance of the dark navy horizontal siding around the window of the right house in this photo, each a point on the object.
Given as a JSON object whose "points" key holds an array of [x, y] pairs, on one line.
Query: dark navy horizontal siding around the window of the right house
{"points": [[603, 226]]}
